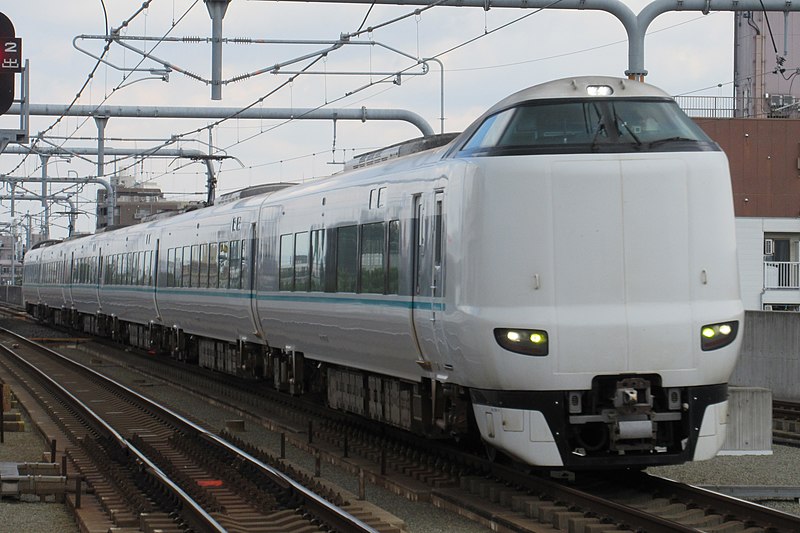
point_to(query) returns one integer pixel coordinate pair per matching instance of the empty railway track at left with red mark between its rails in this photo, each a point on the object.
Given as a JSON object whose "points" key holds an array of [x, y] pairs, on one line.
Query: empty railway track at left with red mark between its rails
{"points": [[151, 468]]}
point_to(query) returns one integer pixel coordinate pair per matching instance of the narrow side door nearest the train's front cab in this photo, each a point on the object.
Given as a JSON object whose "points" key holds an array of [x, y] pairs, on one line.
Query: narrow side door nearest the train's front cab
{"points": [[428, 285]]}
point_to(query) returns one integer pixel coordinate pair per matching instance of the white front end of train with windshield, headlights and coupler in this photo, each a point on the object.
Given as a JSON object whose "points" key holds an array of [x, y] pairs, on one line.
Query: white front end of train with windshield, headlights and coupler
{"points": [[598, 277]]}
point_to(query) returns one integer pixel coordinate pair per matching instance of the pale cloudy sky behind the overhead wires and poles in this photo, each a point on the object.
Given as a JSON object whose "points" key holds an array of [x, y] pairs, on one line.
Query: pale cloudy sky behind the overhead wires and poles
{"points": [[491, 55]]}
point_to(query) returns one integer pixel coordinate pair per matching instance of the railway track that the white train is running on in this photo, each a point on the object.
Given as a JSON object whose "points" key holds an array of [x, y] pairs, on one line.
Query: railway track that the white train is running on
{"points": [[498, 497]]}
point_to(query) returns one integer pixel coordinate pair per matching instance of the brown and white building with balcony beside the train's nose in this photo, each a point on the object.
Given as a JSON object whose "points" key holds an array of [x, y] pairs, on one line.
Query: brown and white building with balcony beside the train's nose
{"points": [[764, 156]]}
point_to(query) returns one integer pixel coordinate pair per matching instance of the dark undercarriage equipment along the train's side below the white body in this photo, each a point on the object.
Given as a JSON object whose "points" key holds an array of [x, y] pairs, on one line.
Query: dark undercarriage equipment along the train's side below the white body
{"points": [[428, 408]]}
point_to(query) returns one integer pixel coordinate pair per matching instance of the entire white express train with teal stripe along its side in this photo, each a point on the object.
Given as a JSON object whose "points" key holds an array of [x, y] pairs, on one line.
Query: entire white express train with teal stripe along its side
{"points": [[561, 278]]}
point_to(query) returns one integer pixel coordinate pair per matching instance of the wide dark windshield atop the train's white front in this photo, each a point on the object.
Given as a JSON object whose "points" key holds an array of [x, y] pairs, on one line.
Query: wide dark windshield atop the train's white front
{"points": [[588, 126]]}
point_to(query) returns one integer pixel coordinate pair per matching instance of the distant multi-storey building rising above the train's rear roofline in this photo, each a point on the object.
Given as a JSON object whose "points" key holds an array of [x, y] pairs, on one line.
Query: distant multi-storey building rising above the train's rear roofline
{"points": [[133, 204]]}
